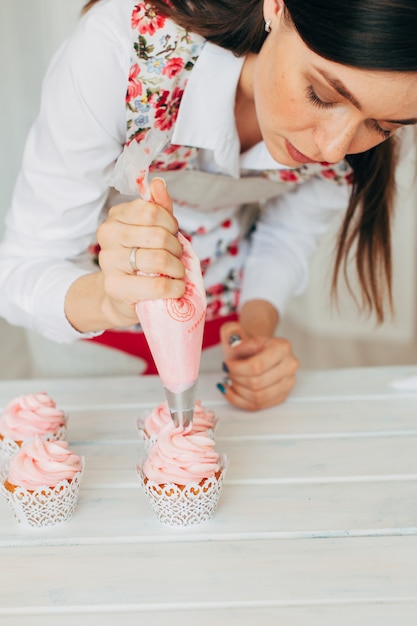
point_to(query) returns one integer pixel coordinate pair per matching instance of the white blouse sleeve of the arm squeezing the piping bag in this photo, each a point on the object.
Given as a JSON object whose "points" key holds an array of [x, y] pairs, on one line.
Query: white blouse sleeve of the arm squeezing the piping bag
{"points": [[67, 162]]}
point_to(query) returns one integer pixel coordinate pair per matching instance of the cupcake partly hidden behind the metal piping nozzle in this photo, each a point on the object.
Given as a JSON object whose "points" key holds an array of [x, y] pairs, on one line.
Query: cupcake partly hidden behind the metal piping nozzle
{"points": [[150, 425]]}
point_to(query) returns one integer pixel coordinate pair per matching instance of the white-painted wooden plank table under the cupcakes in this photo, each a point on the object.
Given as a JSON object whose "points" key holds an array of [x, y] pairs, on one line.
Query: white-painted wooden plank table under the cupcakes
{"points": [[317, 523]]}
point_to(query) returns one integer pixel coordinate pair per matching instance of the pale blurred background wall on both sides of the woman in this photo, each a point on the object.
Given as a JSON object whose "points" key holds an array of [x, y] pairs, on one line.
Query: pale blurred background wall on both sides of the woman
{"points": [[30, 31]]}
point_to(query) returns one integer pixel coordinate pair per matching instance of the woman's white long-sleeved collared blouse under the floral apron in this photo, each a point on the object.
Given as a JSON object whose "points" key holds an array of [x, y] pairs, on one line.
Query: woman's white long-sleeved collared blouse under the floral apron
{"points": [[69, 159]]}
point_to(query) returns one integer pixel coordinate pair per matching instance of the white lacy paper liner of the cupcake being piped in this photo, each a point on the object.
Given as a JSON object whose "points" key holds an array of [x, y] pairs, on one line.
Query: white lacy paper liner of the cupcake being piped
{"points": [[177, 505]]}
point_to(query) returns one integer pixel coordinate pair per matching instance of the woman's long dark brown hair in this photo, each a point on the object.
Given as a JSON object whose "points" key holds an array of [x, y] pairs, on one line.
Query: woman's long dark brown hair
{"points": [[368, 34]]}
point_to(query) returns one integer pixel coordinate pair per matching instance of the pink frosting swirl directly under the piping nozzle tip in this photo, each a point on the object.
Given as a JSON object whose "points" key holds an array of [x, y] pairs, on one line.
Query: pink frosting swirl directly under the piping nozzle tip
{"points": [[180, 457]]}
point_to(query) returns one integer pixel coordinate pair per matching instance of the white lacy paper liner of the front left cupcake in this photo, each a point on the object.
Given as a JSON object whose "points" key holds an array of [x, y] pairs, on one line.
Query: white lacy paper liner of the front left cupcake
{"points": [[44, 506]]}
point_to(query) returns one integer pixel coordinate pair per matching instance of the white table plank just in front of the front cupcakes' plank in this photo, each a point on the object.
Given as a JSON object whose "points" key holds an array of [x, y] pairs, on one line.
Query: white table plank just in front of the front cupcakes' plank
{"points": [[191, 575]]}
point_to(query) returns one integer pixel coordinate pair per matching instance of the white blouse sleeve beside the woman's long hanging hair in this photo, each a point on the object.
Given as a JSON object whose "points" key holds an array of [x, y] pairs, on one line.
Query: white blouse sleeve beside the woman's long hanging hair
{"points": [[287, 234]]}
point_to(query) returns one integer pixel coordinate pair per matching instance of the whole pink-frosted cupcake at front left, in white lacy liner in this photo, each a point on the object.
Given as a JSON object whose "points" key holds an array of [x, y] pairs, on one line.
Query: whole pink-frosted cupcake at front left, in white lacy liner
{"points": [[42, 482]]}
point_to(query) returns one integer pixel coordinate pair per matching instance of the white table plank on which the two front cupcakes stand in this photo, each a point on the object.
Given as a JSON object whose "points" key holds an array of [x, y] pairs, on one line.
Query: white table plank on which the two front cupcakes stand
{"points": [[259, 512]]}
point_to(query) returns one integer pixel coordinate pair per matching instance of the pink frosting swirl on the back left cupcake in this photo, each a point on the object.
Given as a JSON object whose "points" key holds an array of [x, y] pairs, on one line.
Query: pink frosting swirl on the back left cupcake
{"points": [[30, 415]]}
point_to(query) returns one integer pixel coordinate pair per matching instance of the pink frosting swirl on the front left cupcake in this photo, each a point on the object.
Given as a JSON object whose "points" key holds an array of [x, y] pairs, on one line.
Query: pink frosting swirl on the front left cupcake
{"points": [[43, 463]]}
